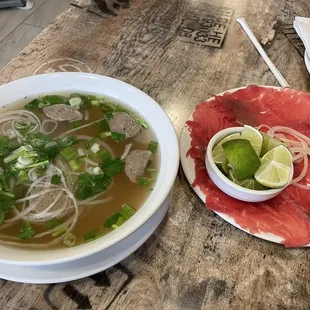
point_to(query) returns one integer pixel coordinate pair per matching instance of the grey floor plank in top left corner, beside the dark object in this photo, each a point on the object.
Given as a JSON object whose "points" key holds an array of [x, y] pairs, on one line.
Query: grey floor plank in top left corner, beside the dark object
{"points": [[11, 18]]}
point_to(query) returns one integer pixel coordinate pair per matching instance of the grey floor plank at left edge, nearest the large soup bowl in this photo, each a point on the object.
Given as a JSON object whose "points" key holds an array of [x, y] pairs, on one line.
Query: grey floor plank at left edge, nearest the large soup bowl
{"points": [[16, 41]]}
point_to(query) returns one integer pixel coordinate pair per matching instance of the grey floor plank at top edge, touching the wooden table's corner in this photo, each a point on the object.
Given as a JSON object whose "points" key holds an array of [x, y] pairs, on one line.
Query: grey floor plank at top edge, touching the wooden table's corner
{"points": [[47, 13]]}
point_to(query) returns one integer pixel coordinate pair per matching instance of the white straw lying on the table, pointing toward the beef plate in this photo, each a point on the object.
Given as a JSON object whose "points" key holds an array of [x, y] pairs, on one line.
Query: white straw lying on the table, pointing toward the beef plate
{"points": [[261, 51]]}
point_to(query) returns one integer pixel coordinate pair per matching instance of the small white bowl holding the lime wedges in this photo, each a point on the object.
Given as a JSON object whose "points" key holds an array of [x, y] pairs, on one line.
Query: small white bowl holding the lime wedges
{"points": [[229, 187]]}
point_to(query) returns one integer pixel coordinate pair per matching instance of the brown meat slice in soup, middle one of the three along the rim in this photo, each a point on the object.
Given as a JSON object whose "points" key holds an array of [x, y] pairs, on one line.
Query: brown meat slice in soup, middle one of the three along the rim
{"points": [[123, 123]]}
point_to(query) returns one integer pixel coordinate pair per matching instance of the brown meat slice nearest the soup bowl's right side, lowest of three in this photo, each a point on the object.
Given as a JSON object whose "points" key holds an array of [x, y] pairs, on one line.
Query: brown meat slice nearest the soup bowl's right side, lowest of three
{"points": [[136, 163]]}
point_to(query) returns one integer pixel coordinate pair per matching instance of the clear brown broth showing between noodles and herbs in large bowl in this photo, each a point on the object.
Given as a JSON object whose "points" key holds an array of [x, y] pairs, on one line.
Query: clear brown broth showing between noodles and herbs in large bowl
{"points": [[121, 192]]}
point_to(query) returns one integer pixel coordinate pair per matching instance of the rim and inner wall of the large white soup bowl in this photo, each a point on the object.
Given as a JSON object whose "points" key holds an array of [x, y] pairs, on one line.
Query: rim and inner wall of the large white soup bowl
{"points": [[134, 99]]}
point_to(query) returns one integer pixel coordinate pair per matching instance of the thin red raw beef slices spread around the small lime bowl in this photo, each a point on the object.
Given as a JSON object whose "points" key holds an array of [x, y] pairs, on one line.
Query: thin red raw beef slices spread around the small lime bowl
{"points": [[288, 214]]}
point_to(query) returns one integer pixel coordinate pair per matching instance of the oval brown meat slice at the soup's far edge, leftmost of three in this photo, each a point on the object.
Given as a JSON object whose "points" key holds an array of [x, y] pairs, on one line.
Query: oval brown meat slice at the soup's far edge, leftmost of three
{"points": [[62, 112]]}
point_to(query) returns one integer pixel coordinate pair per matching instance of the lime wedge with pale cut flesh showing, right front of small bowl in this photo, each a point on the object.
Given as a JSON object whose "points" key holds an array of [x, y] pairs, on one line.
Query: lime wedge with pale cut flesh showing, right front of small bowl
{"points": [[276, 167]]}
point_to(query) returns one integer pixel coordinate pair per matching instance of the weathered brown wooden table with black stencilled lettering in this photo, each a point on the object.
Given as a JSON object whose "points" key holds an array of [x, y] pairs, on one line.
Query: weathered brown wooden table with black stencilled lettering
{"points": [[194, 260]]}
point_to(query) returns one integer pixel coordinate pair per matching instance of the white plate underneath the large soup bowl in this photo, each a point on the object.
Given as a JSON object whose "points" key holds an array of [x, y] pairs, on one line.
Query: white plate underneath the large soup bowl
{"points": [[87, 266]]}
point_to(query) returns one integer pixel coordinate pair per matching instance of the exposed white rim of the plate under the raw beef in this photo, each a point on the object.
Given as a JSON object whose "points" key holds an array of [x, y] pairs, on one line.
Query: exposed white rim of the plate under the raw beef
{"points": [[188, 166]]}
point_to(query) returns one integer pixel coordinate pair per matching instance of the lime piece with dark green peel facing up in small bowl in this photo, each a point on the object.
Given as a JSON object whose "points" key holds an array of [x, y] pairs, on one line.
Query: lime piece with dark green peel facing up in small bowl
{"points": [[241, 157]]}
